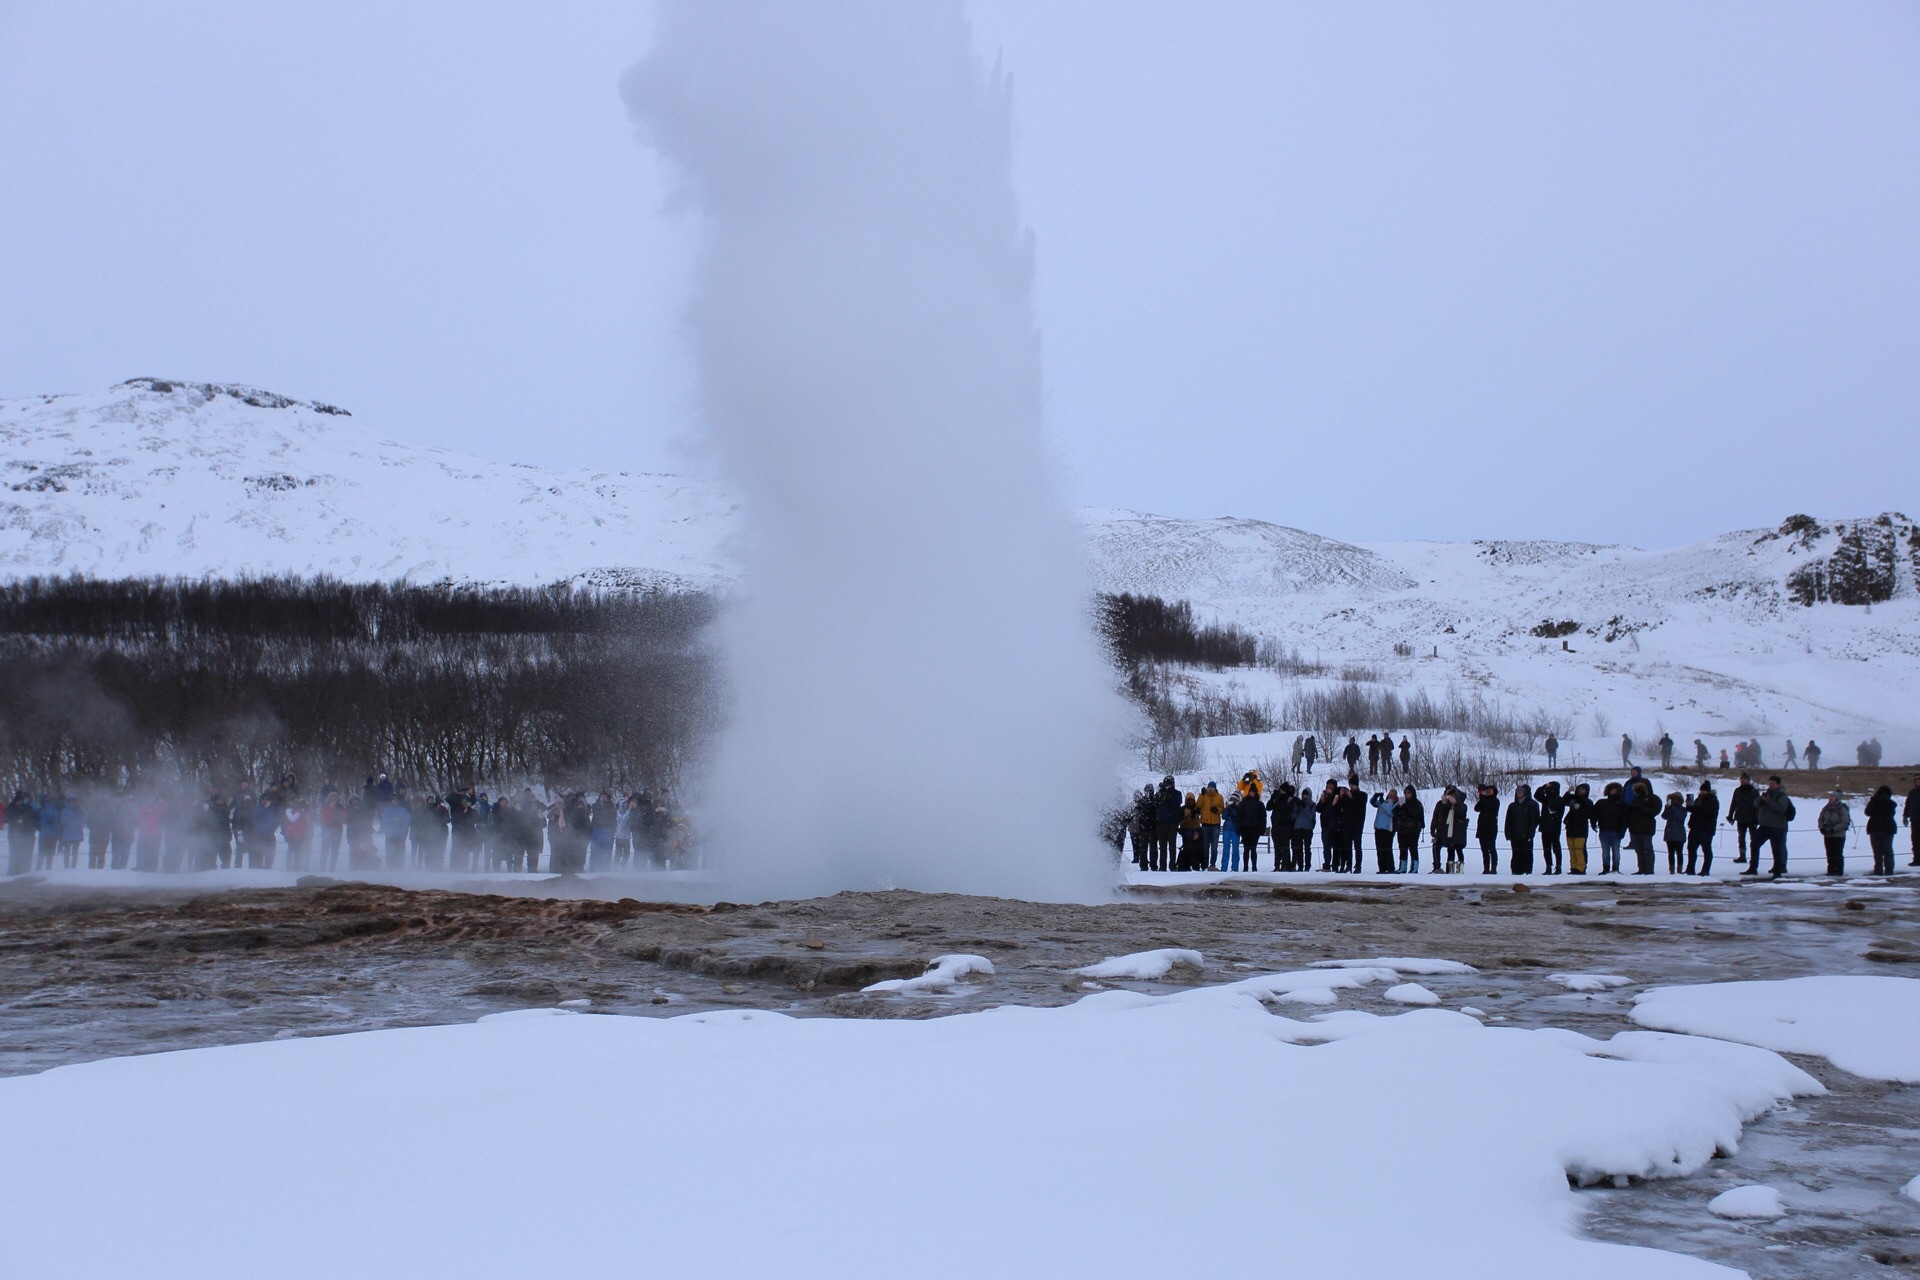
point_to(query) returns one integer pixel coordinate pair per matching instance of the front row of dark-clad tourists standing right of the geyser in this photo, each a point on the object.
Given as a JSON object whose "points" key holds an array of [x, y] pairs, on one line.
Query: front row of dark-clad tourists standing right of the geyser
{"points": [[1209, 830]]}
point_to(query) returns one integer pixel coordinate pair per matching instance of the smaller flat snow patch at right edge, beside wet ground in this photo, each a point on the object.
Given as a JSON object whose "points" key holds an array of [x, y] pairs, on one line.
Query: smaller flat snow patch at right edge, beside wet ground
{"points": [[1860, 1024]]}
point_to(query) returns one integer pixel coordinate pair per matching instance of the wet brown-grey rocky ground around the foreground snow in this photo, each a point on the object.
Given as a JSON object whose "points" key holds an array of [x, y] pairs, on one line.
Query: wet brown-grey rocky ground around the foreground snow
{"points": [[89, 974]]}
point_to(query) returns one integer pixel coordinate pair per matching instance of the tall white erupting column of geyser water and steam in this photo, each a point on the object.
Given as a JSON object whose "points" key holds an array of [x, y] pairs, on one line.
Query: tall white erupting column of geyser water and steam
{"points": [[917, 696]]}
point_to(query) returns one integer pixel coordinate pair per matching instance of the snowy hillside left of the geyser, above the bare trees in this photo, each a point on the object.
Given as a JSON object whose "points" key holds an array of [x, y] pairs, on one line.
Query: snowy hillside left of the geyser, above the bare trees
{"points": [[195, 479]]}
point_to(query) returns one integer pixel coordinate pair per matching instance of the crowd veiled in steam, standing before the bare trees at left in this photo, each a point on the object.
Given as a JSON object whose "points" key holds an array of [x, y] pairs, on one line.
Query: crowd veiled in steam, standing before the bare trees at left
{"points": [[377, 826]]}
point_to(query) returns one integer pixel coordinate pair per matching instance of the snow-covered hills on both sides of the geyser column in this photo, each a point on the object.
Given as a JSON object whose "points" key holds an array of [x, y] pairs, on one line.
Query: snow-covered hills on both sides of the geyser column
{"points": [[1806, 628]]}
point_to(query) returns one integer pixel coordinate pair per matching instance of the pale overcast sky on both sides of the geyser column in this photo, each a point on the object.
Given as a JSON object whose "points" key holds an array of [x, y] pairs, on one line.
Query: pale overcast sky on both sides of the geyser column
{"points": [[1610, 272]]}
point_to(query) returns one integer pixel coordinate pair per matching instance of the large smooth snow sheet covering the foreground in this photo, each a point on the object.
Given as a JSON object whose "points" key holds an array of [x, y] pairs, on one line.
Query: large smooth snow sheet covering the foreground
{"points": [[389, 1147]]}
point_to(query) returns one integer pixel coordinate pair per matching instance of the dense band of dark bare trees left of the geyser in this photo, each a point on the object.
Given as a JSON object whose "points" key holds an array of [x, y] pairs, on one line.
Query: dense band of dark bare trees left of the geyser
{"points": [[235, 682]]}
